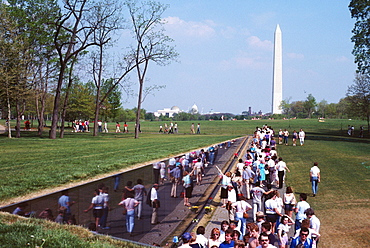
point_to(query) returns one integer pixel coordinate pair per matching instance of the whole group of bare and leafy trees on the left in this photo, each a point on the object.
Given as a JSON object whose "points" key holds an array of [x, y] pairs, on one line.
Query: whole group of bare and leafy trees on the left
{"points": [[62, 59]]}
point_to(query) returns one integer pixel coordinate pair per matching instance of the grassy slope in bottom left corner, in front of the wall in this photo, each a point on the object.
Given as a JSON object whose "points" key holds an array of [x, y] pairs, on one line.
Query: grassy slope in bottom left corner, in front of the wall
{"points": [[17, 231]]}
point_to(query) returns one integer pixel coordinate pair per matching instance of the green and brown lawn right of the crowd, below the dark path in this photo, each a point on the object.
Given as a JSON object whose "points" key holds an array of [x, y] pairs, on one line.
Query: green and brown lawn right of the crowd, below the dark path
{"points": [[342, 202]]}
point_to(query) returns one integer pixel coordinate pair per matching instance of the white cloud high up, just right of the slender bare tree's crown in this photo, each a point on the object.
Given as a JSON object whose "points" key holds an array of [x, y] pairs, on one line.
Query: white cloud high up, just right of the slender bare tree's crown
{"points": [[178, 27]]}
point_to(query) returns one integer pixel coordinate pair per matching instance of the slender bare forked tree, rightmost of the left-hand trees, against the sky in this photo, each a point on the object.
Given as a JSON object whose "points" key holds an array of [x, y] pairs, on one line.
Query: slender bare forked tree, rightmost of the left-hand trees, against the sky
{"points": [[151, 44]]}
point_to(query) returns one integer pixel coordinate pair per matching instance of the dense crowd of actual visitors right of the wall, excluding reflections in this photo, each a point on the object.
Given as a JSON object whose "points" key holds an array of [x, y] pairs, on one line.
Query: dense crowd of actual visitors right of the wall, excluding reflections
{"points": [[259, 177]]}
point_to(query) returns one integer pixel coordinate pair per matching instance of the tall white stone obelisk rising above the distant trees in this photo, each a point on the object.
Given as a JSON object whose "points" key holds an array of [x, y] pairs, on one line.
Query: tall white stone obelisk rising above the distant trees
{"points": [[277, 84]]}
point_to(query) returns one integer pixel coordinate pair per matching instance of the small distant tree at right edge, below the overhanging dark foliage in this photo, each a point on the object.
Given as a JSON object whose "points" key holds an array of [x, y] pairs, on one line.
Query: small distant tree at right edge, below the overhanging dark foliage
{"points": [[358, 96]]}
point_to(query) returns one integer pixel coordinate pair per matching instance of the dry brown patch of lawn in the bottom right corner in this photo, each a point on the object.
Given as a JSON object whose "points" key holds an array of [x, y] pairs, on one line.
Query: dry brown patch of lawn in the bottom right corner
{"points": [[340, 228]]}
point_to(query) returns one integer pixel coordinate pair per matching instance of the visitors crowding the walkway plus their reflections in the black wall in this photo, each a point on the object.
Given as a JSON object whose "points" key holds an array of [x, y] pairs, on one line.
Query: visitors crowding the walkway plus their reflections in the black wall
{"points": [[258, 176]]}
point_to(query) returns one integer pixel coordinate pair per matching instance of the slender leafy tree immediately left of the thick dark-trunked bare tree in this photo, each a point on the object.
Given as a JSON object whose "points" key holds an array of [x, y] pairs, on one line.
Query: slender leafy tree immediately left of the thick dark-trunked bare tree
{"points": [[33, 19]]}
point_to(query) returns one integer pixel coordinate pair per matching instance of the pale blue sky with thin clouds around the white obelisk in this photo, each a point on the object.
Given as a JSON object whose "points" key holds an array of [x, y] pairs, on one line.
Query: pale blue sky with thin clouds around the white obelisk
{"points": [[226, 54]]}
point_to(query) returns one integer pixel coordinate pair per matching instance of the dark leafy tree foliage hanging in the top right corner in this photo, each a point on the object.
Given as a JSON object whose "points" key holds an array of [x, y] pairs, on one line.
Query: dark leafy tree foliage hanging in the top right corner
{"points": [[360, 10]]}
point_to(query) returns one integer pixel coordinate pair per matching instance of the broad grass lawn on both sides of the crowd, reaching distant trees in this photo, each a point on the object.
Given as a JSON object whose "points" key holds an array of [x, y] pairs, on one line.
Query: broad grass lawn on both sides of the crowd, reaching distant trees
{"points": [[30, 163]]}
